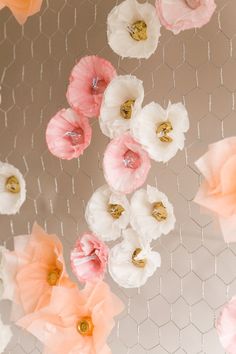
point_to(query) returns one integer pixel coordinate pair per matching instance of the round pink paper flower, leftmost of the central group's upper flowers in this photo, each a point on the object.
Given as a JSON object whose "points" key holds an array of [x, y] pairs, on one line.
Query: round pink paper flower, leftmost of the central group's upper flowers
{"points": [[68, 134]]}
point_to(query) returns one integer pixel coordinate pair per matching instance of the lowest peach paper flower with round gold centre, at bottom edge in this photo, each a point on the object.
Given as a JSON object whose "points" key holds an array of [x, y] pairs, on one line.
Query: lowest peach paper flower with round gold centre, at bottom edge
{"points": [[76, 321]]}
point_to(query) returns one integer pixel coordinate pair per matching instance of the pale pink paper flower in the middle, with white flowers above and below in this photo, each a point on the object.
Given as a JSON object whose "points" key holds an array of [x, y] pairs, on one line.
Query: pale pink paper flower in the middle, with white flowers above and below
{"points": [[126, 164]]}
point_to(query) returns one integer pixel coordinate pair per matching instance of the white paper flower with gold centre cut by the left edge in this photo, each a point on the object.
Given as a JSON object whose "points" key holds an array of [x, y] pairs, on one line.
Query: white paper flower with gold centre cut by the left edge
{"points": [[12, 189]]}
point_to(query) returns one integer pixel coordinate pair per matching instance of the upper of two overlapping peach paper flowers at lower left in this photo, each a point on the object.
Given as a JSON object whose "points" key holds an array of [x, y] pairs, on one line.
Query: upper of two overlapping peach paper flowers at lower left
{"points": [[40, 268]]}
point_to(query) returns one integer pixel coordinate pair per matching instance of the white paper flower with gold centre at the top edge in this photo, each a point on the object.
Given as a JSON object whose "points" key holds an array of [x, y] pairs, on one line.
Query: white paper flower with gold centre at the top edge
{"points": [[133, 29]]}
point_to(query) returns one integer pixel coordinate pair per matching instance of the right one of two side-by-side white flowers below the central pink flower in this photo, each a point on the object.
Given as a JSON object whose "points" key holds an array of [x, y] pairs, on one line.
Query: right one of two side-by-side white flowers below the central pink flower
{"points": [[151, 213]]}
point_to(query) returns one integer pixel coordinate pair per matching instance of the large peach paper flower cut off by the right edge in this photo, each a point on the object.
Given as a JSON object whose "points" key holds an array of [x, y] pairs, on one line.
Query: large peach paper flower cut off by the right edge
{"points": [[218, 190]]}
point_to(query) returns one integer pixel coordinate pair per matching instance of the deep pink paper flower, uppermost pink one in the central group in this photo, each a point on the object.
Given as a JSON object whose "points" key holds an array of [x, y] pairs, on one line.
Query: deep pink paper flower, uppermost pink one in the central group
{"points": [[88, 81]]}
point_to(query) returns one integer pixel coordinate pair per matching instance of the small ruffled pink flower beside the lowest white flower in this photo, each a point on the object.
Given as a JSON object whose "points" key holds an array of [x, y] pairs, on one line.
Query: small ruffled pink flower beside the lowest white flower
{"points": [[89, 258]]}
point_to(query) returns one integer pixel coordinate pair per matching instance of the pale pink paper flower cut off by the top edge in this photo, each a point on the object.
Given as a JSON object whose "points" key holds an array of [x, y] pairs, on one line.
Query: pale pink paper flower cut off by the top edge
{"points": [[180, 15]]}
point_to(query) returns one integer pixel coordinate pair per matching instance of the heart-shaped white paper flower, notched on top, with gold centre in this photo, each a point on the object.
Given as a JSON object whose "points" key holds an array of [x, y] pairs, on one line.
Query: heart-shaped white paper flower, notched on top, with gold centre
{"points": [[160, 131]]}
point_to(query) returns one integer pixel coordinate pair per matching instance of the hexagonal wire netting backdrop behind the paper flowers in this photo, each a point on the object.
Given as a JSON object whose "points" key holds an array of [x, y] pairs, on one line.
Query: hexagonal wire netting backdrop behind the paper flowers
{"points": [[176, 310]]}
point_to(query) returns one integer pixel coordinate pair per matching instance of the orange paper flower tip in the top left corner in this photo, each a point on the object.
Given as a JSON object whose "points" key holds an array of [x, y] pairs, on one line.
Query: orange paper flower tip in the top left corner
{"points": [[22, 9]]}
